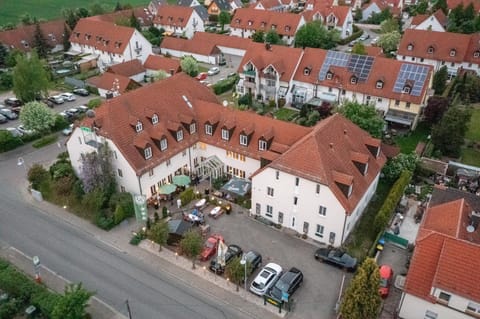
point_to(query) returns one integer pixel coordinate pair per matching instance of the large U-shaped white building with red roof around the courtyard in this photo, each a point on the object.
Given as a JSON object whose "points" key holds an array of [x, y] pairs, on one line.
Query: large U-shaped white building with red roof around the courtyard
{"points": [[177, 126]]}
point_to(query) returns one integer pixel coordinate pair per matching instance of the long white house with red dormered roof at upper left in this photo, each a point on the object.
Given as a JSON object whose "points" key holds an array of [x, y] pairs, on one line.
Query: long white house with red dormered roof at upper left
{"points": [[109, 43]]}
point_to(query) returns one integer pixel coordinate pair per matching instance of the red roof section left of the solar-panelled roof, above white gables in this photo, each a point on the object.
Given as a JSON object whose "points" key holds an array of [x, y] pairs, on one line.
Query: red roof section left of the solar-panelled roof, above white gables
{"points": [[283, 59]]}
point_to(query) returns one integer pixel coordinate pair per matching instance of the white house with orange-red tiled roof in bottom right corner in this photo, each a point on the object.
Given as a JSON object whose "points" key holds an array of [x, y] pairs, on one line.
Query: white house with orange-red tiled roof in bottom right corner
{"points": [[442, 280]]}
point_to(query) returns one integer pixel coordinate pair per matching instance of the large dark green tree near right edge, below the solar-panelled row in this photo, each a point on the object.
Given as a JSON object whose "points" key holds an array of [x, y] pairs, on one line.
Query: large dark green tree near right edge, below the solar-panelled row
{"points": [[448, 134]]}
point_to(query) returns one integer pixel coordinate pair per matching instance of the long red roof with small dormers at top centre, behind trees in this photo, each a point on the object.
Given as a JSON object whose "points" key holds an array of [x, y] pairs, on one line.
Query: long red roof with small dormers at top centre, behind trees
{"points": [[286, 24]]}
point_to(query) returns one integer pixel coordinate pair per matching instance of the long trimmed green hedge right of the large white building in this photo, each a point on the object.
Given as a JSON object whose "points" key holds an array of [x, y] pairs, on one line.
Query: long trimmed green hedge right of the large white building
{"points": [[394, 196]]}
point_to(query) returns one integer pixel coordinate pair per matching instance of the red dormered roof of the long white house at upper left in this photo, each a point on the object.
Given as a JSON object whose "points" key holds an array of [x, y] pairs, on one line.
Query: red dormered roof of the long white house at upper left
{"points": [[102, 35]]}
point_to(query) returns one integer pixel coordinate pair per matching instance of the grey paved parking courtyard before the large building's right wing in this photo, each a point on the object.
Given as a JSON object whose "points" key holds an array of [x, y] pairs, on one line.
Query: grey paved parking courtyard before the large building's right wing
{"points": [[316, 298]]}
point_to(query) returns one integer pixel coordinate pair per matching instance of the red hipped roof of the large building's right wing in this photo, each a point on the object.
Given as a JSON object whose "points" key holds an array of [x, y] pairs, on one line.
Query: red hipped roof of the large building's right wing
{"points": [[325, 156]]}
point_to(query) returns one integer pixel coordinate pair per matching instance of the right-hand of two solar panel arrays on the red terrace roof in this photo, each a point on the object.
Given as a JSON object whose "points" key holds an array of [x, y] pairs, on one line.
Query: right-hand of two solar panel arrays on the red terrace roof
{"points": [[411, 72]]}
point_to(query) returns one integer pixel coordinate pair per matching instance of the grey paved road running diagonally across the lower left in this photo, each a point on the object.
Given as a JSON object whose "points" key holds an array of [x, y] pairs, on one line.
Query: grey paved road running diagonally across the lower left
{"points": [[80, 254]]}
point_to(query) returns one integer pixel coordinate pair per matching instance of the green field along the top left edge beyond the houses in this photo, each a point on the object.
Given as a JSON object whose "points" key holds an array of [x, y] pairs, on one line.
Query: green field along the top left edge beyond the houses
{"points": [[11, 10]]}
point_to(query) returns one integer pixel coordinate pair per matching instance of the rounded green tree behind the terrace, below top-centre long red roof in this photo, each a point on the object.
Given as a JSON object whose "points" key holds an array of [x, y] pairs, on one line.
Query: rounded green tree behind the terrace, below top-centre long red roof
{"points": [[314, 35]]}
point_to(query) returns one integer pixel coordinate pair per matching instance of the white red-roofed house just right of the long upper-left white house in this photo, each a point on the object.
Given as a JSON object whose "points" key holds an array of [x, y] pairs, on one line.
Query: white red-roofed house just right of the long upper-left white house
{"points": [[178, 21]]}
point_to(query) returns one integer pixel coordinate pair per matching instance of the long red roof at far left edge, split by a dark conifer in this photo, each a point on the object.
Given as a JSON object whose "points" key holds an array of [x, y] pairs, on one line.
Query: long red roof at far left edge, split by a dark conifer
{"points": [[21, 38]]}
